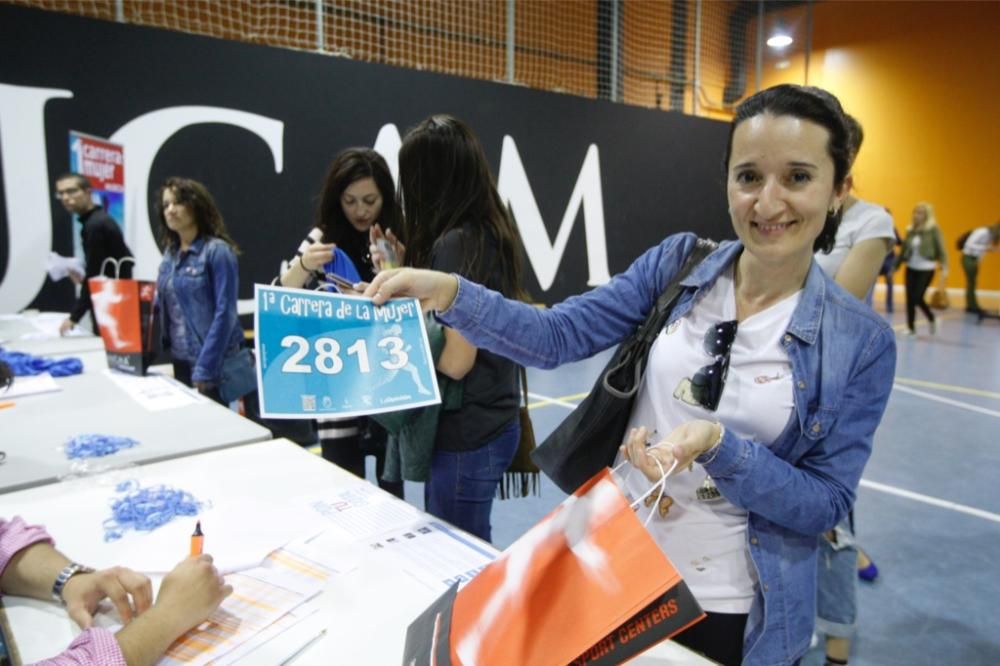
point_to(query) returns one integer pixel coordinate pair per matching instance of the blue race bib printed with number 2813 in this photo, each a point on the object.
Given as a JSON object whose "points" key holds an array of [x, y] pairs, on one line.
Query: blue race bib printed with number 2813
{"points": [[328, 354]]}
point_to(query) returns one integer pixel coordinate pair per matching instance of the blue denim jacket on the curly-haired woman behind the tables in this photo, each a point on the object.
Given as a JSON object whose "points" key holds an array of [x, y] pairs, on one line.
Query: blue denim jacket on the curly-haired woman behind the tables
{"points": [[206, 280]]}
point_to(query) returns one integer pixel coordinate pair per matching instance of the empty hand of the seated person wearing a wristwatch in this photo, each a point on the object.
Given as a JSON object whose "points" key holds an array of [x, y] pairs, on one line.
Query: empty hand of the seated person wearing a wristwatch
{"points": [[129, 591]]}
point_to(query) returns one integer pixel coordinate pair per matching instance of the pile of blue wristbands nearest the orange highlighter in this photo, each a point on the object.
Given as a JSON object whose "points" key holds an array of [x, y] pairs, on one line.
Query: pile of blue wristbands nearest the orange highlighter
{"points": [[146, 509]]}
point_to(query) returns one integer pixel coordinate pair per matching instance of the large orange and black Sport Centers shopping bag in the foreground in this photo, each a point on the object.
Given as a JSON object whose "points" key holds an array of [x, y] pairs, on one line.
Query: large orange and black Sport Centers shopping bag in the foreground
{"points": [[586, 585]]}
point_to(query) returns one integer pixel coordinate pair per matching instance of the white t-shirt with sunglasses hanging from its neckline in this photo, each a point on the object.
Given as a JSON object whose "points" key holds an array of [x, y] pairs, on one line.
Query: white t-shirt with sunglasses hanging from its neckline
{"points": [[707, 540]]}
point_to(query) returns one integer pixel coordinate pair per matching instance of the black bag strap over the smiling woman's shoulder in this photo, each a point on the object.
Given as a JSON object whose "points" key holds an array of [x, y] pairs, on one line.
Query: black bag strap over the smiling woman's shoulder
{"points": [[617, 380]]}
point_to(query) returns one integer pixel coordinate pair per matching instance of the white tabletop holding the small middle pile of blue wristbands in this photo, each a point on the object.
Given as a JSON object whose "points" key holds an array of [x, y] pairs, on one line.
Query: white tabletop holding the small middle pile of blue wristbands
{"points": [[93, 403]]}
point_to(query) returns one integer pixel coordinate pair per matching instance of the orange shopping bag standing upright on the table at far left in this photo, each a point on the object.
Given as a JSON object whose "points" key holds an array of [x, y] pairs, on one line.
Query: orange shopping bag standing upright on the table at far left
{"points": [[123, 310]]}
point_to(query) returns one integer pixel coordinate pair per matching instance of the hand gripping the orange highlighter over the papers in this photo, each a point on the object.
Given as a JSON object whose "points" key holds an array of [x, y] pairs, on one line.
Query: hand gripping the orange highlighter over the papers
{"points": [[190, 593]]}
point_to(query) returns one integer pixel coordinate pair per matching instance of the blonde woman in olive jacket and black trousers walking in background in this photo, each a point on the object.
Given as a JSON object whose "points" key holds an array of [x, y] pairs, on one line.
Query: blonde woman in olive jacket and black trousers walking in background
{"points": [[923, 251]]}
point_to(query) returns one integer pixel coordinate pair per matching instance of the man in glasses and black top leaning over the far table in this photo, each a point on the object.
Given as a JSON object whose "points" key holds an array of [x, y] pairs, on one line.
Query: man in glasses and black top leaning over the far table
{"points": [[100, 237]]}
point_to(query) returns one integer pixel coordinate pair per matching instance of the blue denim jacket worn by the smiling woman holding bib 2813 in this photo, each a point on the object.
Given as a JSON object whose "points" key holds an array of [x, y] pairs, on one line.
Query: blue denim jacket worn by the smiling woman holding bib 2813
{"points": [[843, 359]]}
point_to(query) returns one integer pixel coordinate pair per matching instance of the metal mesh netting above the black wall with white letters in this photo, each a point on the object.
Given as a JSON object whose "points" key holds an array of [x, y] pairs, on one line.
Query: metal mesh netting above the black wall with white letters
{"points": [[694, 56]]}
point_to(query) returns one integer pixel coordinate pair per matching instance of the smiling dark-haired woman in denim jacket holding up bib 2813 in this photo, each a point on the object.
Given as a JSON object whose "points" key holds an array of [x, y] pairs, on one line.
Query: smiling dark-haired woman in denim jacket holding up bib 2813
{"points": [[765, 387]]}
